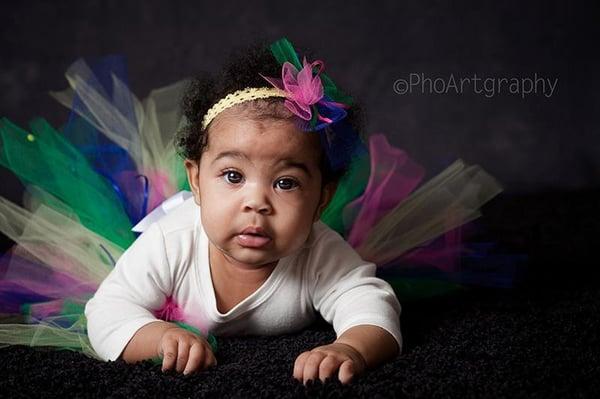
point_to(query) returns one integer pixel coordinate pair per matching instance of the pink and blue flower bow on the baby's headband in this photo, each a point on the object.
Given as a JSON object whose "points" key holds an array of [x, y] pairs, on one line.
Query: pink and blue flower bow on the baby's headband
{"points": [[306, 96]]}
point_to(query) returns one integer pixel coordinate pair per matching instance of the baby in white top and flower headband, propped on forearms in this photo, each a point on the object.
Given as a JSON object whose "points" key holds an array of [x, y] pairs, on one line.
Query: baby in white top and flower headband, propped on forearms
{"points": [[248, 253]]}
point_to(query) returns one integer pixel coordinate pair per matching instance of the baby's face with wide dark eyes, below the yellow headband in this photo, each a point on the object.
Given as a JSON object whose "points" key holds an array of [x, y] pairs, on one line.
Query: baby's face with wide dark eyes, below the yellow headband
{"points": [[262, 175]]}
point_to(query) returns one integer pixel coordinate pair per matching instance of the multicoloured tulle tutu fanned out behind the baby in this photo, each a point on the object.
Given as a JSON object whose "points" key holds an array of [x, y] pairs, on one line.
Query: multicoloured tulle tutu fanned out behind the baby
{"points": [[114, 166]]}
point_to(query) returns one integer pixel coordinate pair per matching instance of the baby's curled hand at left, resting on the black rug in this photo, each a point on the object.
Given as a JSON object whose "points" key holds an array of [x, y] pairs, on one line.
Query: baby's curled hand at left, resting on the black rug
{"points": [[185, 350]]}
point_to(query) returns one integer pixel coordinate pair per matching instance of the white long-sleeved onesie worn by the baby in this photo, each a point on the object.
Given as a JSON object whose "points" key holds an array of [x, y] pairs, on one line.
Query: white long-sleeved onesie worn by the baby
{"points": [[170, 259]]}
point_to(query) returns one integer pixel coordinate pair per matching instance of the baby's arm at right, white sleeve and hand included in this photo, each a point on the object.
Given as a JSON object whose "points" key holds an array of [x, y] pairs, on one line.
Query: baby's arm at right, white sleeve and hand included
{"points": [[363, 309]]}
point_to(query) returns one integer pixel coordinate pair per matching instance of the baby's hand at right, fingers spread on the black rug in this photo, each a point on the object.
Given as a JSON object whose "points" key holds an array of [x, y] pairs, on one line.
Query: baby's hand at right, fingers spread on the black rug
{"points": [[324, 361]]}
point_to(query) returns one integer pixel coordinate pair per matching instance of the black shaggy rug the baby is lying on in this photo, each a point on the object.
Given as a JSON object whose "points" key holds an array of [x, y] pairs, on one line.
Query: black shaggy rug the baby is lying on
{"points": [[537, 340]]}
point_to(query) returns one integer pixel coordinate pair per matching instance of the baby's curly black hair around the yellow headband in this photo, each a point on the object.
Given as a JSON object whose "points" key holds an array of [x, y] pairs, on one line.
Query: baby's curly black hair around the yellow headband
{"points": [[242, 70]]}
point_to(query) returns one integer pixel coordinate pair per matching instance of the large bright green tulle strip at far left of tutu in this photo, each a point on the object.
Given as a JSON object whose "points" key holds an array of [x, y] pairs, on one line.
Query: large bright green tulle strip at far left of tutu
{"points": [[42, 157]]}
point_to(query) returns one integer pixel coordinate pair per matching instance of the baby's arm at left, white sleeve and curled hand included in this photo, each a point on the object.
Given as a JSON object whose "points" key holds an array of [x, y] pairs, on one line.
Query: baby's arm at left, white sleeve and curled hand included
{"points": [[120, 317]]}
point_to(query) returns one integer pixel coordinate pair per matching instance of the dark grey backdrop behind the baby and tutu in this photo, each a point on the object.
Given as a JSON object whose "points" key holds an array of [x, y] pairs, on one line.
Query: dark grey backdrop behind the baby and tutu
{"points": [[531, 141]]}
